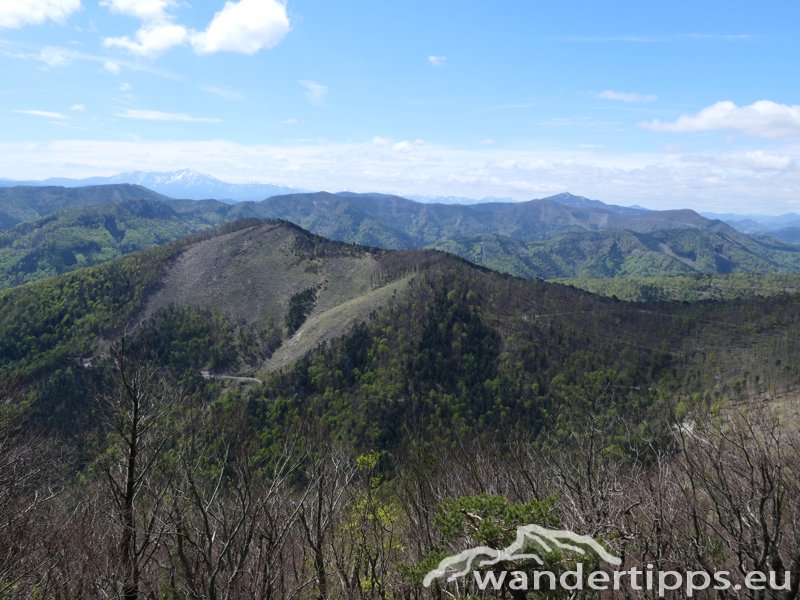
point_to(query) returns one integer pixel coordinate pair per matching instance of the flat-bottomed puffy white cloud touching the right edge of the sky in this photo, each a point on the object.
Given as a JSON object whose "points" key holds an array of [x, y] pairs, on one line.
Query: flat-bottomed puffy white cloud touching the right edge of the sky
{"points": [[764, 119]]}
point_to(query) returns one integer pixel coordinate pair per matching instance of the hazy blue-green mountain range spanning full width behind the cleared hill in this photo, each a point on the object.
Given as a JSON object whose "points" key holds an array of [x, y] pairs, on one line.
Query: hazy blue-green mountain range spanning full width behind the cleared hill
{"points": [[48, 230]]}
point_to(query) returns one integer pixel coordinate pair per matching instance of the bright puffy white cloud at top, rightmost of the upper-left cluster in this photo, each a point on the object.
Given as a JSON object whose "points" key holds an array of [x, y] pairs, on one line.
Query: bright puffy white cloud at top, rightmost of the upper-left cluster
{"points": [[246, 26]]}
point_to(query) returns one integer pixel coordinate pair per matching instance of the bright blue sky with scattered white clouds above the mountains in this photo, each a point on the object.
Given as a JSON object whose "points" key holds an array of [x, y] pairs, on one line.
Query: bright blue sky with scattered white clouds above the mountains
{"points": [[663, 105]]}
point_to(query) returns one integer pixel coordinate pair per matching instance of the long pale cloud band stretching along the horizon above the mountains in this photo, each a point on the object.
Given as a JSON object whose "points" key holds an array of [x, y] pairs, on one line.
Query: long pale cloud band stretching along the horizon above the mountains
{"points": [[719, 183]]}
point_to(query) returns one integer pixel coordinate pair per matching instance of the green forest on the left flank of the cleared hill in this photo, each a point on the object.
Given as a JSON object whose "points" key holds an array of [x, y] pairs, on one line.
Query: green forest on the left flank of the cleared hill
{"points": [[49, 331]]}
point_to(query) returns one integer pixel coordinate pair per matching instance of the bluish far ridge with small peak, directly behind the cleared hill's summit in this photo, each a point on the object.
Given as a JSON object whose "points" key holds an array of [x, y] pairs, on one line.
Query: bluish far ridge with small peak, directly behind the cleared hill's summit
{"points": [[395, 222]]}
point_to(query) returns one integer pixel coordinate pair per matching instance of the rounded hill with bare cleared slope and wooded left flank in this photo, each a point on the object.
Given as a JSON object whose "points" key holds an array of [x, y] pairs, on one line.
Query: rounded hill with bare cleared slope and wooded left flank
{"points": [[243, 278]]}
